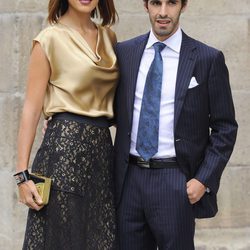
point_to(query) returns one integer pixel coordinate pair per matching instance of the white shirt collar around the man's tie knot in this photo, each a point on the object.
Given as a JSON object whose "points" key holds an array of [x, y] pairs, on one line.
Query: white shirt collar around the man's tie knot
{"points": [[173, 42]]}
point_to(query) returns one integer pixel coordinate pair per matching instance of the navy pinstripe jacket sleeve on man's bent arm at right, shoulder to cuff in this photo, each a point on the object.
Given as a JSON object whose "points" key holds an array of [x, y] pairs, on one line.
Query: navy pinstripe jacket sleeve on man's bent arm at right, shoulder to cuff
{"points": [[222, 123]]}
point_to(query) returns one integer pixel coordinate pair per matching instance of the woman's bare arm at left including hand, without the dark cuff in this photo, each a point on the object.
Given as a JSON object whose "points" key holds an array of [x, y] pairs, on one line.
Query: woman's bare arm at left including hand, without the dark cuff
{"points": [[38, 77]]}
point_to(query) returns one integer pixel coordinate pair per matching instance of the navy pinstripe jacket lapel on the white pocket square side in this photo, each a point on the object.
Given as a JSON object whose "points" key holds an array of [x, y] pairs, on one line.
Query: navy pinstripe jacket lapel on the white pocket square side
{"points": [[184, 74]]}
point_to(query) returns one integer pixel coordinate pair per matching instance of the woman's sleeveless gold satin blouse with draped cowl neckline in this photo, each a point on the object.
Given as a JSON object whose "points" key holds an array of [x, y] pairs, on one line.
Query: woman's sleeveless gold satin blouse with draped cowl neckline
{"points": [[81, 81]]}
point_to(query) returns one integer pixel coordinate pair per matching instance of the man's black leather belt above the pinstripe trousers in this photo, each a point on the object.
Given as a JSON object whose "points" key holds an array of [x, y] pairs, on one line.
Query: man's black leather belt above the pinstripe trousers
{"points": [[153, 163]]}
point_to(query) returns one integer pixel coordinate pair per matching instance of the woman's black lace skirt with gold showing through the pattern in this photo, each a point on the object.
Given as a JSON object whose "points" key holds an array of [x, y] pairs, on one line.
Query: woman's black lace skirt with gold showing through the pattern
{"points": [[77, 154]]}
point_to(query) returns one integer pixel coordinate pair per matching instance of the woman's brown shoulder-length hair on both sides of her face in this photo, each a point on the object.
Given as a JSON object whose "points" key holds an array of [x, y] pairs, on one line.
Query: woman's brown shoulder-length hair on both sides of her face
{"points": [[106, 10]]}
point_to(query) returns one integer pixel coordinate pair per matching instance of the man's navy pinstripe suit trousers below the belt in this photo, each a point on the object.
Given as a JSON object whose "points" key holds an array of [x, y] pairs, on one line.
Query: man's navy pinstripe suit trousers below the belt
{"points": [[155, 211]]}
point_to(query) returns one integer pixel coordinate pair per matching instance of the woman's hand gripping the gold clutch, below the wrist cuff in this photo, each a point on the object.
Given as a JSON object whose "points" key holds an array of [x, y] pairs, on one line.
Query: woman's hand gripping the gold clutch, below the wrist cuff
{"points": [[29, 196]]}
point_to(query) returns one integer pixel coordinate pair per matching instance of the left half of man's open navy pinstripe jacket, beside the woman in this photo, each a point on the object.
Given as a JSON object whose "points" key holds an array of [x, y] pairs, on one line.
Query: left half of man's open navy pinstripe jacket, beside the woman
{"points": [[123, 104]]}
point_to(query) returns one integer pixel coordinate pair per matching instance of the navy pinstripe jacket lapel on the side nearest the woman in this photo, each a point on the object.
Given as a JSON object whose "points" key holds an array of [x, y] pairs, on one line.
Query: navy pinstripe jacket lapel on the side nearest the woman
{"points": [[135, 56]]}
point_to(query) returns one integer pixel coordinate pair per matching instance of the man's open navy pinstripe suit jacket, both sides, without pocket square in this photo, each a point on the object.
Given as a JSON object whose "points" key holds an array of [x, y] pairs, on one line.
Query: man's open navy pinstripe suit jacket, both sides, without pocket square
{"points": [[204, 119]]}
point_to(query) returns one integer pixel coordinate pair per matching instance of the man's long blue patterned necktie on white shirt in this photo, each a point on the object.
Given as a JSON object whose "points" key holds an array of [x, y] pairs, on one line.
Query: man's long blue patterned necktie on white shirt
{"points": [[148, 129]]}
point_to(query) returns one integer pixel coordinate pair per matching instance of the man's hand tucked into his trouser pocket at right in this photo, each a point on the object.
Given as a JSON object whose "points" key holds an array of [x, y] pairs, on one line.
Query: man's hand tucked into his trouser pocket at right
{"points": [[195, 190]]}
